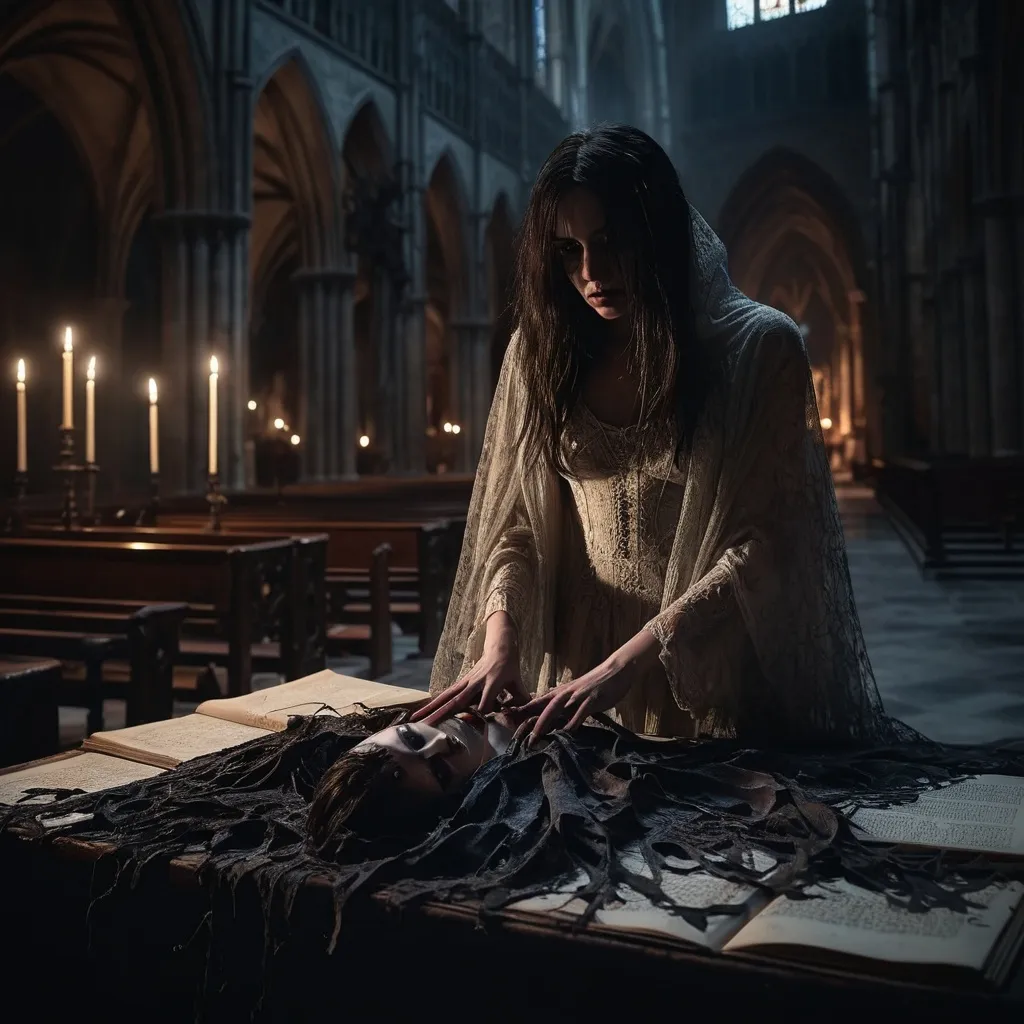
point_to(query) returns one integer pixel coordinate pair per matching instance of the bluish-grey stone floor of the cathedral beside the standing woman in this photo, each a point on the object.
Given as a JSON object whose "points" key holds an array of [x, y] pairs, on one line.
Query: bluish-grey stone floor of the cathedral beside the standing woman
{"points": [[949, 657]]}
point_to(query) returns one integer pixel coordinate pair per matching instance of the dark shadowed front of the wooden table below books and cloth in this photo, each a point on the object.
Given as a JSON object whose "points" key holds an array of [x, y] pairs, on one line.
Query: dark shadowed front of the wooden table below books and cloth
{"points": [[148, 956]]}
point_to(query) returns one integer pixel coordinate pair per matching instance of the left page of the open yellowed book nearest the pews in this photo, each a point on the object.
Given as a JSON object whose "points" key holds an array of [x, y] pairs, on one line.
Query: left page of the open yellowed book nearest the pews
{"points": [[169, 743]]}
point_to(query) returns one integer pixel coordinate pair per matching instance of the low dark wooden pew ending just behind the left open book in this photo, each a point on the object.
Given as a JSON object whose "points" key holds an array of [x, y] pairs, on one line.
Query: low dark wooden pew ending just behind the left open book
{"points": [[147, 639]]}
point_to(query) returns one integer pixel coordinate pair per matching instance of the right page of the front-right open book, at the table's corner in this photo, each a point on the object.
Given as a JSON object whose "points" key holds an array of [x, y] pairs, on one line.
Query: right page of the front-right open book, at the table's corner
{"points": [[859, 923]]}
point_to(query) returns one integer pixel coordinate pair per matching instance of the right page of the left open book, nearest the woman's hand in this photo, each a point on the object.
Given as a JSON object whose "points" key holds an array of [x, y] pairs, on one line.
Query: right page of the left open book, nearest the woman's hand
{"points": [[325, 693]]}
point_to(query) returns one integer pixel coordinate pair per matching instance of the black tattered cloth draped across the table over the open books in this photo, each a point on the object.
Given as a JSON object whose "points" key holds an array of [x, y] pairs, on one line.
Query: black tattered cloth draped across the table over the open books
{"points": [[533, 822]]}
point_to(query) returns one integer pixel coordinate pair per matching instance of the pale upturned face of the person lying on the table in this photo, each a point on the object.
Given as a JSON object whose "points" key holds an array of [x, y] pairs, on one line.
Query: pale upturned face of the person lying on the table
{"points": [[437, 760]]}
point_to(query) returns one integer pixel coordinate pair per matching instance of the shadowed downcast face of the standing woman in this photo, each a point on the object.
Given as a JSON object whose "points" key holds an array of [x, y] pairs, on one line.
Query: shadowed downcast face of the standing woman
{"points": [[590, 262]]}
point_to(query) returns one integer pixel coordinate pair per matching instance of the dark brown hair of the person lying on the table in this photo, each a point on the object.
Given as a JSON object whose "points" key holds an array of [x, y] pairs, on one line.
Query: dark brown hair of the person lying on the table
{"points": [[360, 794]]}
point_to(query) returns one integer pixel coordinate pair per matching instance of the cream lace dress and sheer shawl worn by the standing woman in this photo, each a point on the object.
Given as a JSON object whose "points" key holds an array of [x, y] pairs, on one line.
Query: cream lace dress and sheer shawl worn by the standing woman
{"points": [[751, 601]]}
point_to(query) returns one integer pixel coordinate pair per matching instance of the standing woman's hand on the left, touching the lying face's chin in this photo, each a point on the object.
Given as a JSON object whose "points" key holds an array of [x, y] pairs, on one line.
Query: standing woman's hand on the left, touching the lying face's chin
{"points": [[496, 673]]}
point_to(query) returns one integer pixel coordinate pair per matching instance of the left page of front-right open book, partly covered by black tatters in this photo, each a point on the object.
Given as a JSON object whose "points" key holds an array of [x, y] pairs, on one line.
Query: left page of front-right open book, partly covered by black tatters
{"points": [[635, 913]]}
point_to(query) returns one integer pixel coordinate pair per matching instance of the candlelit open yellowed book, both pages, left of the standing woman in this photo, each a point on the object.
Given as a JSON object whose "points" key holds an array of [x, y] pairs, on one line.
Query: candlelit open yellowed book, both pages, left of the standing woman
{"points": [[219, 726]]}
